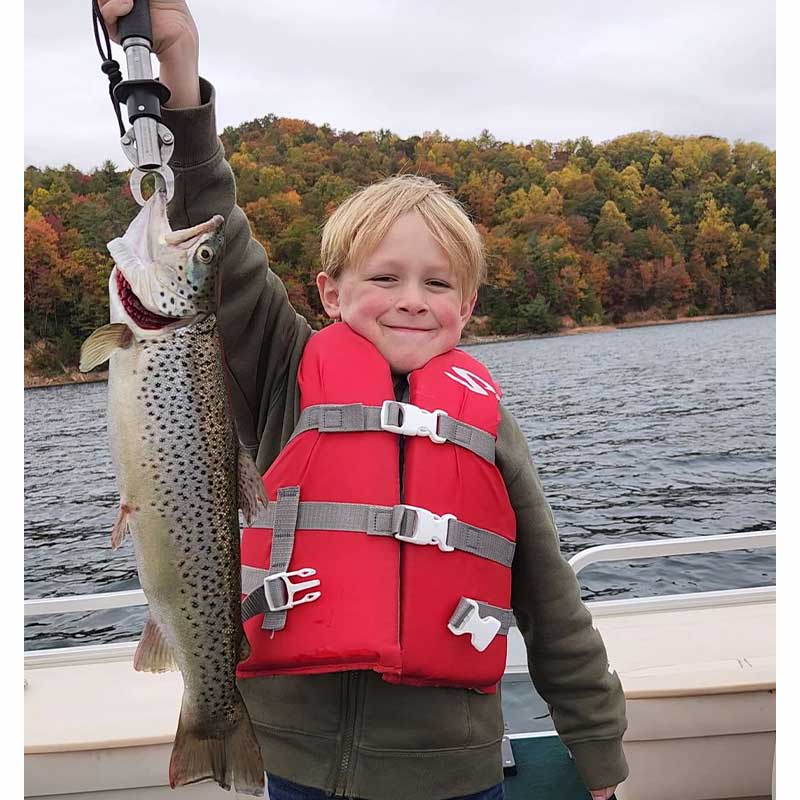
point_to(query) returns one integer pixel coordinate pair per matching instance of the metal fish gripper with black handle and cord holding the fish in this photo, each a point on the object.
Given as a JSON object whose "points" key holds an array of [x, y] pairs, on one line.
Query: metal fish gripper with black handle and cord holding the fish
{"points": [[148, 143]]}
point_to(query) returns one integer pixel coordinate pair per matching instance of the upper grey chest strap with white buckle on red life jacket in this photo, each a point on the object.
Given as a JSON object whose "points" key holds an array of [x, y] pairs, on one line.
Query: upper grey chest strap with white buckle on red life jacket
{"points": [[396, 417]]}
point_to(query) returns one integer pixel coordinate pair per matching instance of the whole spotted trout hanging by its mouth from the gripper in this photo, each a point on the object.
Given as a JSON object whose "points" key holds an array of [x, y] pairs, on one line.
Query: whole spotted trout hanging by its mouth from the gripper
{"points": [[182, 478]]}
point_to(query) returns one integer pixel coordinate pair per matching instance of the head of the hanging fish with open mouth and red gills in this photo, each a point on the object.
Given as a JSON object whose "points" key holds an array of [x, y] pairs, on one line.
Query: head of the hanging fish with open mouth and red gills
{"points": [[164, 278]]}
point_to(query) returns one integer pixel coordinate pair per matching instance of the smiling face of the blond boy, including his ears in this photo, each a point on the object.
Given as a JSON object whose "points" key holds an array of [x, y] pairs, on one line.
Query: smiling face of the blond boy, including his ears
{"points": [[405, 298]]}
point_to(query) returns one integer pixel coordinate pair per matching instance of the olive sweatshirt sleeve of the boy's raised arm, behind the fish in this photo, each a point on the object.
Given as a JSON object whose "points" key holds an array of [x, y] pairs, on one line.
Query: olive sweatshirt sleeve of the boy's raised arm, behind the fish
{"points": [[263, 337]]}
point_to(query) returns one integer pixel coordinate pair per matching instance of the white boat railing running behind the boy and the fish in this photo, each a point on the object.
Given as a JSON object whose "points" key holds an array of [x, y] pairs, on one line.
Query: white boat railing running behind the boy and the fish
{"points": [[646, 549]]}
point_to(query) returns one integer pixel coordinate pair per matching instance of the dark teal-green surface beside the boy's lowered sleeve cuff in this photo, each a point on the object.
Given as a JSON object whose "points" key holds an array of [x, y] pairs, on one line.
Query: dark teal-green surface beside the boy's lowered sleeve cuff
{"points": [[544, 771]]}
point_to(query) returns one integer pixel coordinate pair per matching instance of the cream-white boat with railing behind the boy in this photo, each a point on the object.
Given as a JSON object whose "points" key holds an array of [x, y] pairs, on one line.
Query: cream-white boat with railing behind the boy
{"points": [[698, 671]]}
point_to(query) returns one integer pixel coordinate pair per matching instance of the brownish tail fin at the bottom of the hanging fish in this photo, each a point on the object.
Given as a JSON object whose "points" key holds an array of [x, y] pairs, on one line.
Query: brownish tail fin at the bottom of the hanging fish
{"points": [[196, 758]]}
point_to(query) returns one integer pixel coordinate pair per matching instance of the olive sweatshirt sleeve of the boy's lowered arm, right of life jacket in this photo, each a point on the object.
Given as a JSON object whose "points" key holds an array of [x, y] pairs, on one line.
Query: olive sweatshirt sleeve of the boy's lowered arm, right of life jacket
{"points": [[566, 655]]}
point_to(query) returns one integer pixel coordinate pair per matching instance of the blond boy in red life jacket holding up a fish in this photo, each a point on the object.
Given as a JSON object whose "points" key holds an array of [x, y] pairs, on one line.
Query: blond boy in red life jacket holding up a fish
{"points": [[401, 267]]}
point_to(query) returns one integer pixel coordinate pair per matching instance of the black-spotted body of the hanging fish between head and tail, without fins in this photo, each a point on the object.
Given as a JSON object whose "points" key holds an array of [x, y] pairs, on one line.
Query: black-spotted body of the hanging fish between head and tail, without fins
{"points": [[175, 453]]}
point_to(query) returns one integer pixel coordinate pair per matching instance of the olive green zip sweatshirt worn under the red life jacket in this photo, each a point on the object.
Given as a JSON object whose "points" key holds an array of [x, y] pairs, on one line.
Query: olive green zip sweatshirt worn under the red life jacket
{"points": [[351, 733]]}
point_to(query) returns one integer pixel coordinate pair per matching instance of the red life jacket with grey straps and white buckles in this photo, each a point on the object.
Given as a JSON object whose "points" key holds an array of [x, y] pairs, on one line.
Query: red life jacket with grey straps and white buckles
{"points": [[381, 603]]}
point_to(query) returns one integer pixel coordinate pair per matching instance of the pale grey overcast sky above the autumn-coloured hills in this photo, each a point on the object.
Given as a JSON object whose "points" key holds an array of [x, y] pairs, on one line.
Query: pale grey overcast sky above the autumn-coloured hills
{"points": [[524, 70]]}
